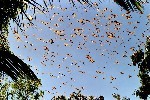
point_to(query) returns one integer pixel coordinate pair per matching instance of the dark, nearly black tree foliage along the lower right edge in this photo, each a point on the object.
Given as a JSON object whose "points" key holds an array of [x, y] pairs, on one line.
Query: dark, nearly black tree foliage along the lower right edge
{"points": [[142, 59]]}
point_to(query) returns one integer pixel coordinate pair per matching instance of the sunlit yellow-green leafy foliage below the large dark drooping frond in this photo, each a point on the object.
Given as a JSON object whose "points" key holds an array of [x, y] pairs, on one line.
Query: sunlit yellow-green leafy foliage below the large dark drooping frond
{"points": [[20, 90]]}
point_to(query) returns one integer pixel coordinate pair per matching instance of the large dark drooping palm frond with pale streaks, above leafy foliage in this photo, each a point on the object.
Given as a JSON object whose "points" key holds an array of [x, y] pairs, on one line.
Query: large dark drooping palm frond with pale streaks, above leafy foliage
{"points": [[15, 67]]}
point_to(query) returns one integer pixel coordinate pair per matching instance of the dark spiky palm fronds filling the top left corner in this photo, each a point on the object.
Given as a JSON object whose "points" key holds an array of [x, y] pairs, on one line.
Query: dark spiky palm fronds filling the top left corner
{"points": [[9, 9]]}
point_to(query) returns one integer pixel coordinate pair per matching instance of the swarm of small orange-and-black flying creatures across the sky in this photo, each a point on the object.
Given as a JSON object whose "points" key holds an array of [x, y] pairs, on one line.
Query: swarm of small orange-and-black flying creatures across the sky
{"points": [[89, 30]]}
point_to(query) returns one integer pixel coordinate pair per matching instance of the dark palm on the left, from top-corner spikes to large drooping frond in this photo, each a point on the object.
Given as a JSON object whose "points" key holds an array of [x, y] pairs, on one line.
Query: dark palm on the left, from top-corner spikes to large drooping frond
{"points": [[9, 63]]}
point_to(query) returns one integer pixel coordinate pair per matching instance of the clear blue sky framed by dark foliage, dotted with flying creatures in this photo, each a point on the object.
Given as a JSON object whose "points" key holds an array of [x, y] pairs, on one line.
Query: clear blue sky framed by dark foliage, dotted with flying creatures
{"points": [[86, 48]]}
